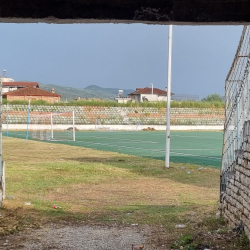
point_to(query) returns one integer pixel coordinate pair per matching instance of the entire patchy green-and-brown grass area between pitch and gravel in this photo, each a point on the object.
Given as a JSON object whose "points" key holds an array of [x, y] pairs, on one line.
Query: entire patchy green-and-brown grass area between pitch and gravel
{"points": [[107, 188]]}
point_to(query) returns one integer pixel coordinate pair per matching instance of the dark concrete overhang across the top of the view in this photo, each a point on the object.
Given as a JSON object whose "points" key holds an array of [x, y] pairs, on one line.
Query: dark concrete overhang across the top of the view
{"points": [[126, 11]]}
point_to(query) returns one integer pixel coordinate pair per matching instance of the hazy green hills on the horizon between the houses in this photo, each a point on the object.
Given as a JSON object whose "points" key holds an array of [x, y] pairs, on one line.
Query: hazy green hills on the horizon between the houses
{"points": [[92, 91]]}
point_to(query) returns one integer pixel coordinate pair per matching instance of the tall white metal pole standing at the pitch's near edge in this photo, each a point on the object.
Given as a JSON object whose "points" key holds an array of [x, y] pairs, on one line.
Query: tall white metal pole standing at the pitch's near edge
{"points": [[170, 31]]}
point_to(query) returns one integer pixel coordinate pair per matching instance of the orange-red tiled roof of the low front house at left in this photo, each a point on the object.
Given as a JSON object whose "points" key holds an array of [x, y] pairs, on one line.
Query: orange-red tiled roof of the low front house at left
{"points": [[30, 91]]}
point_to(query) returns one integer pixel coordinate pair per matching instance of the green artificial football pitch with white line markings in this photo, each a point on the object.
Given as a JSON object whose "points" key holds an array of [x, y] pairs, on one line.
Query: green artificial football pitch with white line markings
{"points": [[194, 147]]}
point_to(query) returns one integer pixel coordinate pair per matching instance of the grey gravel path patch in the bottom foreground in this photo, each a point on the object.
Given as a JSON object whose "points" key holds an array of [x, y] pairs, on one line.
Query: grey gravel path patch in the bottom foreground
{"points": [[77, 238]]}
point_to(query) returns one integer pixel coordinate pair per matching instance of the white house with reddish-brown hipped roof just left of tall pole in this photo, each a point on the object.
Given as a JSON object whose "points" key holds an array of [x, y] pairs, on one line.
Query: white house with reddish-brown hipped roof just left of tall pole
{"points": [[148, 94]]}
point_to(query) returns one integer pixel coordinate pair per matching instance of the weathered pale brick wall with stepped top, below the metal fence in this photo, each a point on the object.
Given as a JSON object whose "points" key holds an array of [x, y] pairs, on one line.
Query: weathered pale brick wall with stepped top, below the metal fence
{"points": [[235, 199]]}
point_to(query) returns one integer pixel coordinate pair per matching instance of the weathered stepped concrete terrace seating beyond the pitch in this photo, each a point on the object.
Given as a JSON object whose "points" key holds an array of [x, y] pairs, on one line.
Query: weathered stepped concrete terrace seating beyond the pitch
{"points": [[117, 115]]}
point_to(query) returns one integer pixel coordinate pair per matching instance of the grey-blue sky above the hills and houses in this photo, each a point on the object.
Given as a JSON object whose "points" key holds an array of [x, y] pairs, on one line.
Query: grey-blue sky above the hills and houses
{"points": [[124, 56]]}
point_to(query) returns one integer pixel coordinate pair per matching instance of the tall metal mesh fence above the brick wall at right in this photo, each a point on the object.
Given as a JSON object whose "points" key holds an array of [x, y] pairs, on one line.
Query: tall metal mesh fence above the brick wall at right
{"points": [[237, 106]]}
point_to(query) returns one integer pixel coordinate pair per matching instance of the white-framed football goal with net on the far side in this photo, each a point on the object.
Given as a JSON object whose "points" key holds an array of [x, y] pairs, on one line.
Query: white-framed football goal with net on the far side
{"points": [[52, 126]]}
